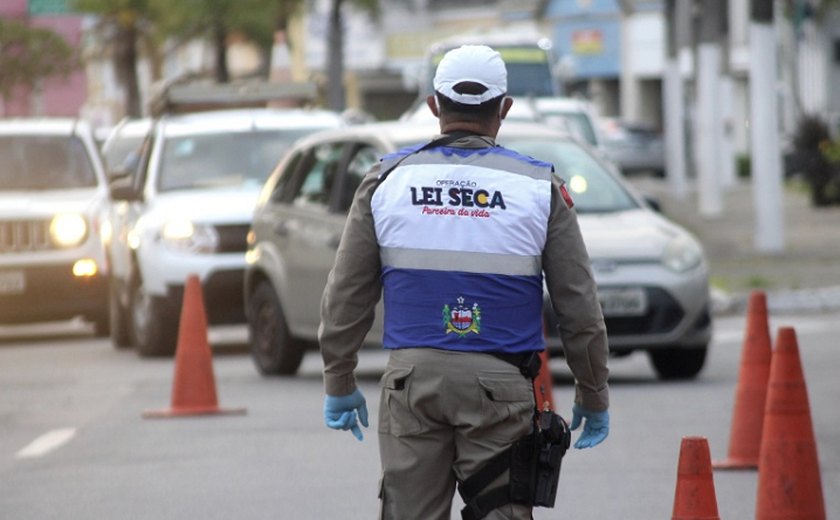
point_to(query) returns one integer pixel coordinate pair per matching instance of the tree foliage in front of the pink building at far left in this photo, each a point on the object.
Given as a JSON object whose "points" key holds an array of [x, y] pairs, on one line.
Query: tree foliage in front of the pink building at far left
{"points": [[30, 54]]}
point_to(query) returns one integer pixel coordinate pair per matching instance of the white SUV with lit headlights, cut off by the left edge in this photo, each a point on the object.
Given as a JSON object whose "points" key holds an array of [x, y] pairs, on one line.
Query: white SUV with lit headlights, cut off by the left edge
{"points": [[53, 199]]}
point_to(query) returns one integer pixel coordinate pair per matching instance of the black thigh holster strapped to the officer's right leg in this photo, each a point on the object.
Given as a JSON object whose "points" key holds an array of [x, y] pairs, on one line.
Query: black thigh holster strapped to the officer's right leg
{"points": [[534, 463]]}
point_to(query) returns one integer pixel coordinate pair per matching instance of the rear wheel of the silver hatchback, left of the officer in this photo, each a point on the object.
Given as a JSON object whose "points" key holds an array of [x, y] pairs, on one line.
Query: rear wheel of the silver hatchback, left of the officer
{"points": [[272, 346]]}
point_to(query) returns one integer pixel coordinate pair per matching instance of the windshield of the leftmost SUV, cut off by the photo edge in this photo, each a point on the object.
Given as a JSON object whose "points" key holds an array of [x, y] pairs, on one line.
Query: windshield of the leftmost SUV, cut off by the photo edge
{"points": [[44, 163]]}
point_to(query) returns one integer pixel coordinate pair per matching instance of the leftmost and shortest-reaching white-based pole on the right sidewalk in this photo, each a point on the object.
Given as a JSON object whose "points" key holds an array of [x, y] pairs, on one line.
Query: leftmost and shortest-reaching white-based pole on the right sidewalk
{"points": [[677, 18]]}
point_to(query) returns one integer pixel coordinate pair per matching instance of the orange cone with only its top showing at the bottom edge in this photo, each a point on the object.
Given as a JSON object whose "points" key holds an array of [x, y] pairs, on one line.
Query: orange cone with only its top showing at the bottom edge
{"points": [[695, 497]]}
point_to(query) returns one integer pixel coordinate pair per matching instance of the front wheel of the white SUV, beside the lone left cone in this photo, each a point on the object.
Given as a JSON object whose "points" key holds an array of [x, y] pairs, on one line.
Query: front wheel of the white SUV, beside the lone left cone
{"points": [[154, 331]]}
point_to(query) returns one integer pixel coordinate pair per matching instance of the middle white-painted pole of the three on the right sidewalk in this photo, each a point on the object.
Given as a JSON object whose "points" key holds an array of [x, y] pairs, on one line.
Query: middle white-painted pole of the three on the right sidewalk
{"points": [[710, 201]]}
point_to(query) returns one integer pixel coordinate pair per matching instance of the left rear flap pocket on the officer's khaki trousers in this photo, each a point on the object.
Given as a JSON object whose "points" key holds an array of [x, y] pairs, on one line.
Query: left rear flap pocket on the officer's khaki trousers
{"points": [[395, 414]]}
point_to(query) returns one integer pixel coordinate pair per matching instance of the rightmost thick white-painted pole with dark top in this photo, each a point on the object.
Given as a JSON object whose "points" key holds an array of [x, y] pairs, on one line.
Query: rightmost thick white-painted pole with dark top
{"points": [[765, 155]]}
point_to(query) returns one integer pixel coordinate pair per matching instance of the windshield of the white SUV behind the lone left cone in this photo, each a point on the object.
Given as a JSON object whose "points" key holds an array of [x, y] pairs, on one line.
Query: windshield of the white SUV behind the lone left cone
{"points": [[222, 160]]}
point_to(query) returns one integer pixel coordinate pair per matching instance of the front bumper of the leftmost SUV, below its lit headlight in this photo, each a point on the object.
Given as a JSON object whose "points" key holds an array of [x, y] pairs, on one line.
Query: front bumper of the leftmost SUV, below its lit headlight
{"points": [[51, 293]]}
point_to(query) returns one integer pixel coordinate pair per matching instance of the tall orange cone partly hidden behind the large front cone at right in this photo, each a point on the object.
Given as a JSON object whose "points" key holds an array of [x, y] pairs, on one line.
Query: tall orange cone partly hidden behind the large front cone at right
{"points": [[751, 393]]}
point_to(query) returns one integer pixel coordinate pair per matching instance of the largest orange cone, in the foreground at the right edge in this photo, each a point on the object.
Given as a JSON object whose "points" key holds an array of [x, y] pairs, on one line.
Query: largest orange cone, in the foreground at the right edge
{"points": [[789, 484]]}
